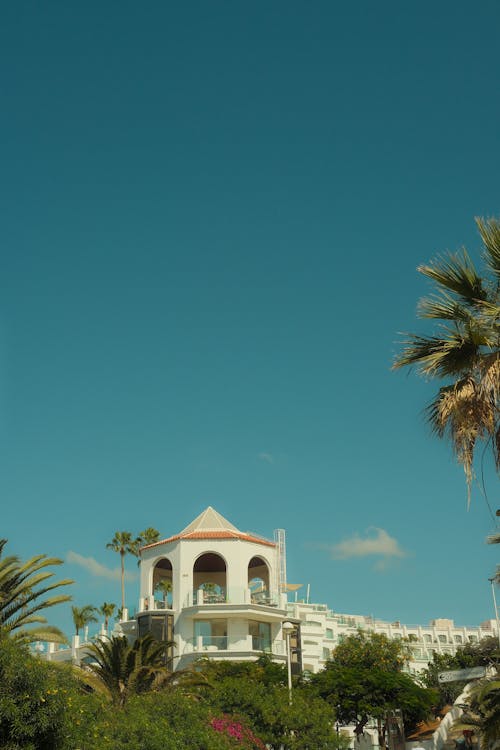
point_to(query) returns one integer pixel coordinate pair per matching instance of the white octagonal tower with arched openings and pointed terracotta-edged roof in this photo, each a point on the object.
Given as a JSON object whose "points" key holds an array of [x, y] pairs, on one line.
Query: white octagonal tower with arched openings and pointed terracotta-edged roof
{"points": [[215, 591]]}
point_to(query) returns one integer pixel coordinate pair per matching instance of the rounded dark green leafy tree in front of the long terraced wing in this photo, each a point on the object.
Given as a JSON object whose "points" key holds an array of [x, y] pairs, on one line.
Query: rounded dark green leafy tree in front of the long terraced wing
{"points": [[364, 679]]}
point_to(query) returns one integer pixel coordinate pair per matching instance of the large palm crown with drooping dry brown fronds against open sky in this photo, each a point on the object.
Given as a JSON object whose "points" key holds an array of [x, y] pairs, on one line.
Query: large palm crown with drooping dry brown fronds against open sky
{"points": [[465, 349]]}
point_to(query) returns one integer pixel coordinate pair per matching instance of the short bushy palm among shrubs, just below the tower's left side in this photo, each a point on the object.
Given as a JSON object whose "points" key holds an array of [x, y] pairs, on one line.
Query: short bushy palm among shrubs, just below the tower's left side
{"points": [[125, 670]]}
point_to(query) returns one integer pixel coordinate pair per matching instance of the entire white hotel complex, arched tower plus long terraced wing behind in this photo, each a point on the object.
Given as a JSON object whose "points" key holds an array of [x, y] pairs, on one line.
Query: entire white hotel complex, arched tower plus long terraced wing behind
{"points": [[221, 593]]}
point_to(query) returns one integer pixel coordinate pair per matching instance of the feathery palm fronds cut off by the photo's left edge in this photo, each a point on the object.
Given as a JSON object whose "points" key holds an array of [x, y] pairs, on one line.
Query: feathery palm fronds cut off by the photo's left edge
{"points": [[22, 588]]}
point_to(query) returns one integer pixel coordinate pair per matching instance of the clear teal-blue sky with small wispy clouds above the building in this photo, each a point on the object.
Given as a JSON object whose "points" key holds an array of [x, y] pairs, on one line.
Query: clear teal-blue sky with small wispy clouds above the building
{"points": [[211, 216]]}
